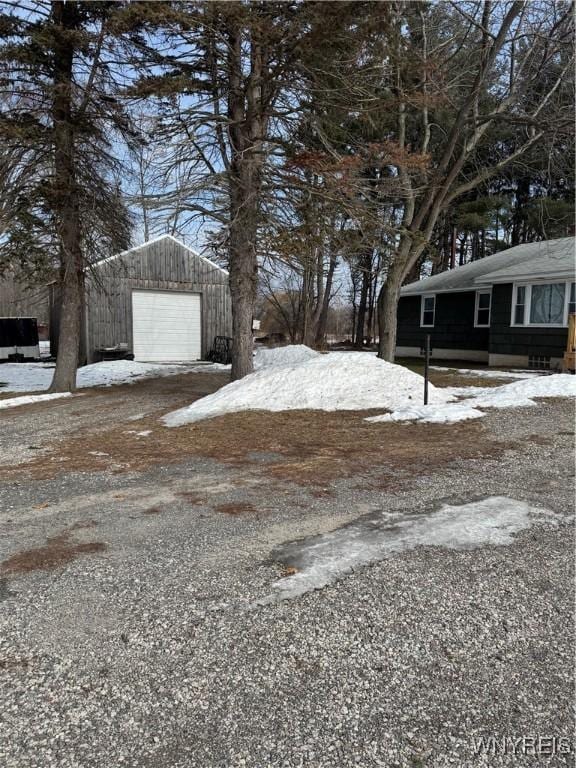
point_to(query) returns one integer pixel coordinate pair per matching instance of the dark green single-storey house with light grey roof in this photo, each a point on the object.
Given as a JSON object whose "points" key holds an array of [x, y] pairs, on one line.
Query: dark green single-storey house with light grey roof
{"points": [[509, 309]]}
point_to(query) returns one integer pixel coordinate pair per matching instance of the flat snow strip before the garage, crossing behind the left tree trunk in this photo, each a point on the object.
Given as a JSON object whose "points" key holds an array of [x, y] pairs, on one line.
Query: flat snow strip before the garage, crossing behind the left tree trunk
{"points": [[34, 377]]}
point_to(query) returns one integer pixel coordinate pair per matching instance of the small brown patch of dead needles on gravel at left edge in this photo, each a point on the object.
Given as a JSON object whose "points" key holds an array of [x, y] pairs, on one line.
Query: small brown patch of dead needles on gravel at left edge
{"points": [[57, 552]]}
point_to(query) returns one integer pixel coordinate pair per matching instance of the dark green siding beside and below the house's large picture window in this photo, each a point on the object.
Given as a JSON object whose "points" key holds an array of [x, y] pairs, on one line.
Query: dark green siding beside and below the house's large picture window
{"points": [[506, 339]]}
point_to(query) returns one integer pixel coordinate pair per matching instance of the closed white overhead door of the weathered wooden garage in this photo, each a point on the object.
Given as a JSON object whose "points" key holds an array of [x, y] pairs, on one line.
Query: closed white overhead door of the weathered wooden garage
{"points": [[166, 326]]}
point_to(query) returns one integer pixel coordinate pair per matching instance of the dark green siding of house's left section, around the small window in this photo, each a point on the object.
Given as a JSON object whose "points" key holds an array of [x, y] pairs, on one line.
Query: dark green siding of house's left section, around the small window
{"points": [[453, 323]]}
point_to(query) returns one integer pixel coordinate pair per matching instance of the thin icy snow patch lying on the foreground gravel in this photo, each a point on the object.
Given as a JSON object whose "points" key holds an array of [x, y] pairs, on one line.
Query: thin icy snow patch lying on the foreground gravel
{"points": [[322, 560]]}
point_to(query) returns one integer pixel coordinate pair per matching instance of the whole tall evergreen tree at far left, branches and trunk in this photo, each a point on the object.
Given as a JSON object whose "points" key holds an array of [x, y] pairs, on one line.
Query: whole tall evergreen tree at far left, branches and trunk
{"points": [[59, 122]]}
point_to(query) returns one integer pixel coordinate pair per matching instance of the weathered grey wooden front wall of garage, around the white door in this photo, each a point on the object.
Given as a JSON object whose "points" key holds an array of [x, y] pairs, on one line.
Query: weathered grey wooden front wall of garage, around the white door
{"points": [[164, 265]]}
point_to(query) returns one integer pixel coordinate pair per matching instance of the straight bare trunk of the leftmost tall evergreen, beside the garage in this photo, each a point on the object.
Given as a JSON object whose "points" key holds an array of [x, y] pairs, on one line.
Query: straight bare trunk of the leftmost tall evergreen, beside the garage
{"points": [[66, 204]]}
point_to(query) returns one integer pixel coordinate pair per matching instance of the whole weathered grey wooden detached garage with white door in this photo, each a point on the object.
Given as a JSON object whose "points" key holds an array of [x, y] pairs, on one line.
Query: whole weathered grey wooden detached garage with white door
{"points": [[160, 301]]}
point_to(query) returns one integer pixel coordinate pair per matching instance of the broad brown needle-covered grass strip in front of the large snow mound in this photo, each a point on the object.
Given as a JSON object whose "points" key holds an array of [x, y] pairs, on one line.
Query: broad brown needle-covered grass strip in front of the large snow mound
{"points": [[316, 447]]}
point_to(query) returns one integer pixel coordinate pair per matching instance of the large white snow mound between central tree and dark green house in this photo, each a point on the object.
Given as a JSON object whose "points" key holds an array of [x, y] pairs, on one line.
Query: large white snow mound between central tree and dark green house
{"points": [[334, 382]]}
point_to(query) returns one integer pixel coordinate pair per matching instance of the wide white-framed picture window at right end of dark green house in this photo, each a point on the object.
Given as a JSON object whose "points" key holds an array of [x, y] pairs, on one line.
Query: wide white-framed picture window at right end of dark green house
{"points": [[543, 304]]}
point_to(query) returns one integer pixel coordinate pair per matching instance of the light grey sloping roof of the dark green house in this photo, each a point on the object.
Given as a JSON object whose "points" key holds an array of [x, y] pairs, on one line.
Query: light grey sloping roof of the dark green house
{"points": [[542, 260]]}
